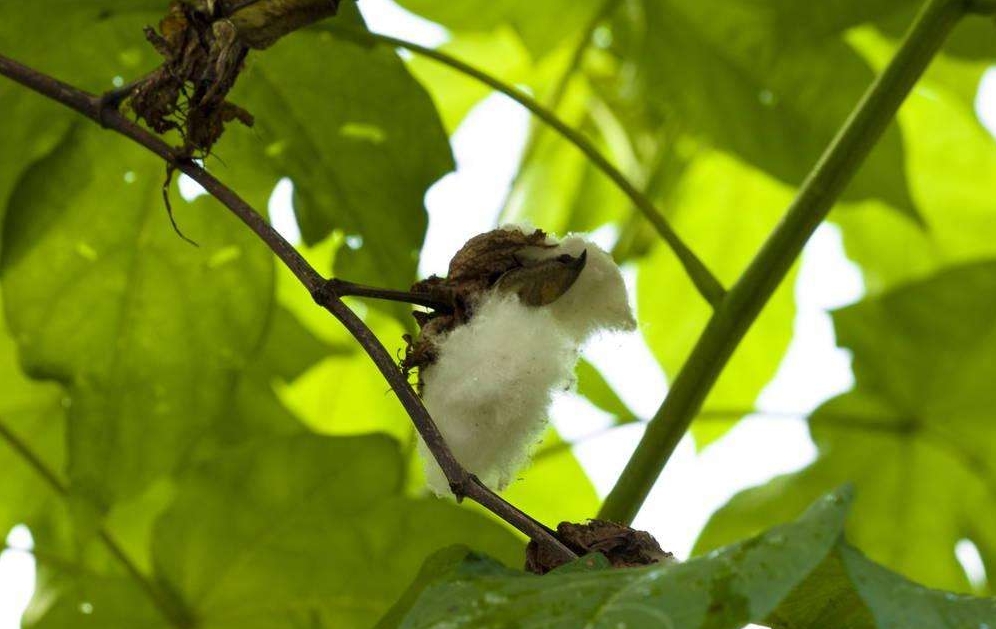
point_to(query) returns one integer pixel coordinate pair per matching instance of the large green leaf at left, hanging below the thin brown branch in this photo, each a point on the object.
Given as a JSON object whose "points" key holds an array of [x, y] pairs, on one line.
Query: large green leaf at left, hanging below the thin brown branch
{"points": [[146, 331]]}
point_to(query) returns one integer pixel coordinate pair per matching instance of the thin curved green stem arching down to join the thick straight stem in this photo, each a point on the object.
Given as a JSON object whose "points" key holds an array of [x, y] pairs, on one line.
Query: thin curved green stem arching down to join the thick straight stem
{"points": [[704, 280]]}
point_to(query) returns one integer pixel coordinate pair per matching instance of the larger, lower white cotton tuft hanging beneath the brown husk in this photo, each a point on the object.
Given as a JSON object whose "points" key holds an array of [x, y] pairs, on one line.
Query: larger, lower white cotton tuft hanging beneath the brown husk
{"points": [[491, 385]]}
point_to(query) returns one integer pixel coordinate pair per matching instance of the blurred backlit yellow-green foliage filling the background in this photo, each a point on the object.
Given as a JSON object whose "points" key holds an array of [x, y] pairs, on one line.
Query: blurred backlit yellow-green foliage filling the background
{"points": [[195, 407]]}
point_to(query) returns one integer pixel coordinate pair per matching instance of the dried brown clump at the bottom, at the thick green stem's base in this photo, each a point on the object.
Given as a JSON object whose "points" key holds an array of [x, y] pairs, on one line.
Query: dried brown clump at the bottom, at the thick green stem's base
{"points": [[623, 546]]}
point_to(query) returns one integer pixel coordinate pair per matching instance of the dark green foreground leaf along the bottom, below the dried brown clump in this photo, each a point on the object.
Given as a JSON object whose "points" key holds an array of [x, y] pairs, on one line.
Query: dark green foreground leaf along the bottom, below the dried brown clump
{"points": [[737, 585]]}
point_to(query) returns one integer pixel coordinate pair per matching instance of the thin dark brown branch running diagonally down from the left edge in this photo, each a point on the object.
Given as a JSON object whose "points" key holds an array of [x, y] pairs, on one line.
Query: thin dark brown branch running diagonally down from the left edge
{"points": [[325, 292]]}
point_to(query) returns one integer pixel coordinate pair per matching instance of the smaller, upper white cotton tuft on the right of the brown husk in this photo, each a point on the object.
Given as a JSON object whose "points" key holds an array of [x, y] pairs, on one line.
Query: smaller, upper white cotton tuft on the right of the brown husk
{"points": [[597, 300]]}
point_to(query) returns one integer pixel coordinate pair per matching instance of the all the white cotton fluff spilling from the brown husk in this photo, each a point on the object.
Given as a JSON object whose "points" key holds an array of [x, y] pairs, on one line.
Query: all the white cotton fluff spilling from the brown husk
{"points": [[491, 384]]}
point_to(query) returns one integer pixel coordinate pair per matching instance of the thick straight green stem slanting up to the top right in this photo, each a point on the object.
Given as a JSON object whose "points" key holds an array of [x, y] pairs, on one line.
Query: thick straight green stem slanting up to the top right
{"points": [[748, 296]]}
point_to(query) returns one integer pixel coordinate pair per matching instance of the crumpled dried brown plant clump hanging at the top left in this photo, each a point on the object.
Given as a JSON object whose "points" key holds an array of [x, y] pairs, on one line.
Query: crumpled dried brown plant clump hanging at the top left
{"points": [[204, 44]]}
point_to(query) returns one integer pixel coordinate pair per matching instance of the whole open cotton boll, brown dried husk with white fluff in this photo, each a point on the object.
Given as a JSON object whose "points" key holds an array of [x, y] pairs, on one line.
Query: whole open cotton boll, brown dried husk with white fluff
{"points": [[522, 303]]}
